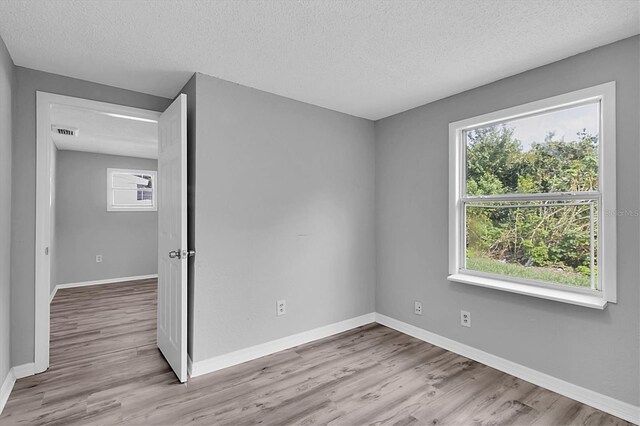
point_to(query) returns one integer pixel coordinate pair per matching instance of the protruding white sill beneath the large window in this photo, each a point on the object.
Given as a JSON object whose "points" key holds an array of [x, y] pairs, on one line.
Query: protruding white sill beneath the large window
{"points": [[586, 300]]}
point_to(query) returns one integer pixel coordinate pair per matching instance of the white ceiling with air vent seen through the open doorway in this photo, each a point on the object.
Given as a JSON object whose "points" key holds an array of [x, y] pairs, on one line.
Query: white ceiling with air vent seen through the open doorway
{"points": [[105, 133]]}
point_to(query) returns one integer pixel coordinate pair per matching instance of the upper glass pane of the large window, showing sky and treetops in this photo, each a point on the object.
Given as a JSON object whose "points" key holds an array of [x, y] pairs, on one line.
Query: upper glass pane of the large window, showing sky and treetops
{"points": [[550, 152]]}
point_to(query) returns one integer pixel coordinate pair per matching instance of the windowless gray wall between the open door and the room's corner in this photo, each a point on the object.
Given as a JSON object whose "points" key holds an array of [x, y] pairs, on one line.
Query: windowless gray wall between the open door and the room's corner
{"points": [[285, 199]]}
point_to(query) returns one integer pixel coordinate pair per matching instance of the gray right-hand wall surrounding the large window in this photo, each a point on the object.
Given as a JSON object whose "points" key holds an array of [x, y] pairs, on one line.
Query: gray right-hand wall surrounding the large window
{"points": [[598, 350]]}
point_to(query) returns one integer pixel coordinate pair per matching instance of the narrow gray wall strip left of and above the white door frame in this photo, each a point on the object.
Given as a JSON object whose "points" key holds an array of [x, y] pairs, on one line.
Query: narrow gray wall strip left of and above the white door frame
{"points": [[24, 201]]}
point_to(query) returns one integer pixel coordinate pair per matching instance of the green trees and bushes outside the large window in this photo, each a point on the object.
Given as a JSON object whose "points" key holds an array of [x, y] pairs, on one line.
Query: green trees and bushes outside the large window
{"points": [[553, 236]]}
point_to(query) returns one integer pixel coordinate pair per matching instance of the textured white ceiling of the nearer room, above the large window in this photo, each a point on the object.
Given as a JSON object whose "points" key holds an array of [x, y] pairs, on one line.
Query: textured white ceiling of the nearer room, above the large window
{"points": [[368, 58]]}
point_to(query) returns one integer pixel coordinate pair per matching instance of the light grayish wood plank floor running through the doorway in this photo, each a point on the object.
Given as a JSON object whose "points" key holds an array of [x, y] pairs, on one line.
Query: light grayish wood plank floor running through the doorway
{"points": [[105, 369]]}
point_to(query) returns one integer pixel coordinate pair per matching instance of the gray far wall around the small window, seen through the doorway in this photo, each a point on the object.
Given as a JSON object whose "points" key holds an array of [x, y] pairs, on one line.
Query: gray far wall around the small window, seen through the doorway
{"points": [[128, 241]]}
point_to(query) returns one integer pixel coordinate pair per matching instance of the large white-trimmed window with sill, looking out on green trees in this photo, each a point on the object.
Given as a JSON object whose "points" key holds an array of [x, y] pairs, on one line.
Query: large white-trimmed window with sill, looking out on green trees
{"points": [[532, 198]]}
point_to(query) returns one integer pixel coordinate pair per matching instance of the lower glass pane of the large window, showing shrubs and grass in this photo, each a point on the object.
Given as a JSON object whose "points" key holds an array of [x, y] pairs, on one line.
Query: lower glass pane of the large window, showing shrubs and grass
{"points": [[542, 241]]}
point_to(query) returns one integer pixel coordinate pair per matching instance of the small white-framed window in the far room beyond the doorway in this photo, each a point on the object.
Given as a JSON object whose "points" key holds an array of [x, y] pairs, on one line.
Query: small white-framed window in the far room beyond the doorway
{"points": [[131, 190]]}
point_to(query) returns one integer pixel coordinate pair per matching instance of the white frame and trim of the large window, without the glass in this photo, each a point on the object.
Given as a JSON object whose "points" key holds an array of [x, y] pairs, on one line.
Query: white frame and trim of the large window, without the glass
{"points": [[606, 197]]}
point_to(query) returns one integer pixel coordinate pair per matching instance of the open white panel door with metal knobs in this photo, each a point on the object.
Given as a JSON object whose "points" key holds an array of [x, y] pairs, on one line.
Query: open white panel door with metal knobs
{"points": [[172, 236]]}
